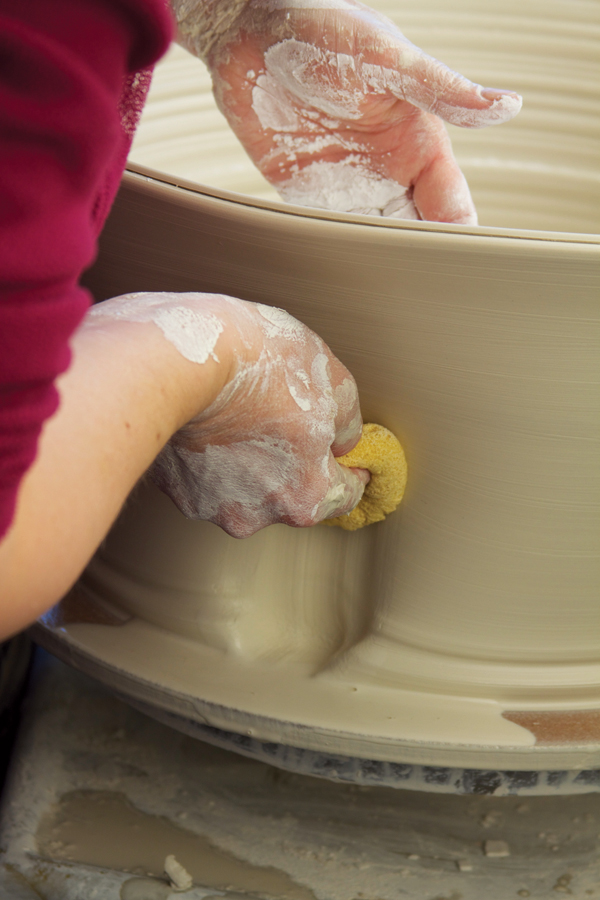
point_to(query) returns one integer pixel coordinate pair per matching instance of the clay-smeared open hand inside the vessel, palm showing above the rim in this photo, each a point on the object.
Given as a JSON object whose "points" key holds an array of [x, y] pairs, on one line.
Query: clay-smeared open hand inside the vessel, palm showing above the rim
{"points": [[337, 108]]}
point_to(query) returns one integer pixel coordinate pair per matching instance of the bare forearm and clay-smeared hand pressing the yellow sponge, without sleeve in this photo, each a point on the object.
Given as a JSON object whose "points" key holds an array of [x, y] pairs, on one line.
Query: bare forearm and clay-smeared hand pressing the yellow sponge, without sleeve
{"points": [[131, 387]]}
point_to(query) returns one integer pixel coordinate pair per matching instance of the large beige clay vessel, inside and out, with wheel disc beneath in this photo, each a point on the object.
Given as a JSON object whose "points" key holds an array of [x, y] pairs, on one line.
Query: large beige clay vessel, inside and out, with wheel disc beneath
{"points": [[455, 647]]}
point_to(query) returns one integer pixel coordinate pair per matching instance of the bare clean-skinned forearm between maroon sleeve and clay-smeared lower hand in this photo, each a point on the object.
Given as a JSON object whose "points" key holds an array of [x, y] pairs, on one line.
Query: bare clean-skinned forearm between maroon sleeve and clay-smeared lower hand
{"points": [[127, 391]]}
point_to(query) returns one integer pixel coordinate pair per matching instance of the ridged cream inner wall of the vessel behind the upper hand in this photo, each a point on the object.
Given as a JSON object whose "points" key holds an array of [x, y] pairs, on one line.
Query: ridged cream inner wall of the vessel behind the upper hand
{"points": [[538, 172]]}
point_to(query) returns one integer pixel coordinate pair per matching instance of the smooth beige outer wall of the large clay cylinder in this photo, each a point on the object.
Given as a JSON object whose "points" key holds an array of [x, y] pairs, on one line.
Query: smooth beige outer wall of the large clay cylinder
{"points": [[479, 351]]}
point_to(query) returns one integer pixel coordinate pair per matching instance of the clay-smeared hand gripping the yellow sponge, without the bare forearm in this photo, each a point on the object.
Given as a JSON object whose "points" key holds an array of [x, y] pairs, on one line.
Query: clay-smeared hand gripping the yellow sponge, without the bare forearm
{"points": [[264, 450]]}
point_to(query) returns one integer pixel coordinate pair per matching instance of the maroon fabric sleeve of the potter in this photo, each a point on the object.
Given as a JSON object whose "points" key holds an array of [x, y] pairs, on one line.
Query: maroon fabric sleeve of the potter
{"points": [[65, 67]]}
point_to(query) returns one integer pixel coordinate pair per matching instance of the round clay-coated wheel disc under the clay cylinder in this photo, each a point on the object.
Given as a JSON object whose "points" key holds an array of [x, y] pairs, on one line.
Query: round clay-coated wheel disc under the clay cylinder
{"points": [[332, 727]]}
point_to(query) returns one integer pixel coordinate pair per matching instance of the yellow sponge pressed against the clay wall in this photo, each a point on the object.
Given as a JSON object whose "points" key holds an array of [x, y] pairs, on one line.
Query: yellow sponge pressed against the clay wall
{"points": [[382, 454]]}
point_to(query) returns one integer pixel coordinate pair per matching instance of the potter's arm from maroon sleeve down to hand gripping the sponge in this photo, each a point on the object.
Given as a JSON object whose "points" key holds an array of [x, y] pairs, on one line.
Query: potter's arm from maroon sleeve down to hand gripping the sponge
{"points": [[268, 402]]}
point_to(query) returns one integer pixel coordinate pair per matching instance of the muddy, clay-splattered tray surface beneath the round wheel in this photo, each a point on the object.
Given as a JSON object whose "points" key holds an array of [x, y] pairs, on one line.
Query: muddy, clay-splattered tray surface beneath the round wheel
{"points": [[135, 791]]}
